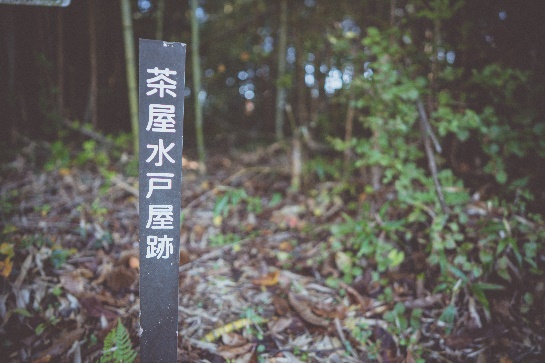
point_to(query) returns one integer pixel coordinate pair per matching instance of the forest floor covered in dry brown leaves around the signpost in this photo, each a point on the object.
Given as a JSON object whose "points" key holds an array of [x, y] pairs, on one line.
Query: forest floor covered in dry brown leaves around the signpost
{"points": [[259, 278]]}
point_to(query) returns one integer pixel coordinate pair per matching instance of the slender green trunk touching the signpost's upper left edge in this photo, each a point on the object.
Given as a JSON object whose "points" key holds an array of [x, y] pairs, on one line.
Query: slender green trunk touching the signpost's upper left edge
{"points": [[128, 40]]}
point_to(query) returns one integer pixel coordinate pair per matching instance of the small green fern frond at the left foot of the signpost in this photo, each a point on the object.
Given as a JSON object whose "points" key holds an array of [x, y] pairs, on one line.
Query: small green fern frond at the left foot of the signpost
{"points": [[117, 346]]}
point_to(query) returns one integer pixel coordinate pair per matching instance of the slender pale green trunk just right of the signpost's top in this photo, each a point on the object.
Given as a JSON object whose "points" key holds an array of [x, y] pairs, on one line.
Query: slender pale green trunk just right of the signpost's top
{"points": [[196, 63]]}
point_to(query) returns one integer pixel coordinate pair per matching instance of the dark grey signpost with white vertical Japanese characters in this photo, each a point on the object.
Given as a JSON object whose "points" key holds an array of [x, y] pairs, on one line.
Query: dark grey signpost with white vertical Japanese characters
{"points": [[161, 109]]}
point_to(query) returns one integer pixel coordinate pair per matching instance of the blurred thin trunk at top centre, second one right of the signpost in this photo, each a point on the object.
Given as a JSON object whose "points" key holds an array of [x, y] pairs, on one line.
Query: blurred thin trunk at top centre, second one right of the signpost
{"points": [[280, 87]]}
